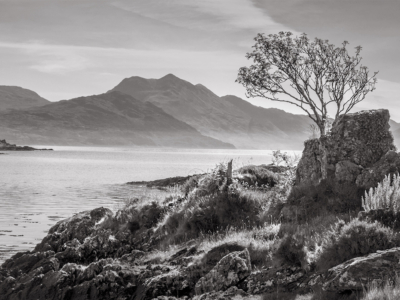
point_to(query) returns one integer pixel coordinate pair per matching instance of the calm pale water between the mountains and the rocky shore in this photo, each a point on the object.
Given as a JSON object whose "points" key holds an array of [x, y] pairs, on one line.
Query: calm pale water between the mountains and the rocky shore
{"points": [[39, 188]]}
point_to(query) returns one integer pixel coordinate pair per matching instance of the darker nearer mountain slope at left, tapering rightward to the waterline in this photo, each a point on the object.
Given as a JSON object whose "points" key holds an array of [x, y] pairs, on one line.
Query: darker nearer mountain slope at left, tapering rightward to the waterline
{"points": [[108, 119]]}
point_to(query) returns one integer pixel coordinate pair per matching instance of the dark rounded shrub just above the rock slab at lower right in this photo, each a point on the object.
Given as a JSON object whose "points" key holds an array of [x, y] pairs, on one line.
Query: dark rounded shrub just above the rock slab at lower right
{"points": [[357, 238]]}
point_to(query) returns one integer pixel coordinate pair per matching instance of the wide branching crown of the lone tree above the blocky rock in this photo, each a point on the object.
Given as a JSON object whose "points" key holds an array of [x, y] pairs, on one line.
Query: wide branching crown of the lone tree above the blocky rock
{"points": [[308, 74]]}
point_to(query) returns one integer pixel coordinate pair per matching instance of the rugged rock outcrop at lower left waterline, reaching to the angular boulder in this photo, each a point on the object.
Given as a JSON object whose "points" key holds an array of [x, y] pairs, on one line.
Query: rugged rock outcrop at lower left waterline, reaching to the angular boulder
{"points": [[94, 255]]}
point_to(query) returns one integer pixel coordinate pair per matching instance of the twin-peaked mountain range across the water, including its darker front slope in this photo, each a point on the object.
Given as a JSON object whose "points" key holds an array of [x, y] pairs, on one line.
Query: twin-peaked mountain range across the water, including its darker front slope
{"points": [[216, 121]]}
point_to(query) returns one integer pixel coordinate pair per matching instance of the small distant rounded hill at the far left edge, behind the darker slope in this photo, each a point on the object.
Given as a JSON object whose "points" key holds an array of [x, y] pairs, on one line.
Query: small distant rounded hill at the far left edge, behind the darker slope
{"points": [[14, 97]]}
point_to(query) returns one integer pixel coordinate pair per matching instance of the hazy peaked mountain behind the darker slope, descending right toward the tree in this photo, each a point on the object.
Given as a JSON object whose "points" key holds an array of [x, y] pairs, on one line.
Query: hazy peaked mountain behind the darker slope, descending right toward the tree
{"points": [[227, 118]]}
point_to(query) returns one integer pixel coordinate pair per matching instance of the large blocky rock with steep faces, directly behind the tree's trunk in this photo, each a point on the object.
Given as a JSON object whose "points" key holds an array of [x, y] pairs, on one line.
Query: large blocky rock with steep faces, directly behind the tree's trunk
{"points": [[360, 150]]}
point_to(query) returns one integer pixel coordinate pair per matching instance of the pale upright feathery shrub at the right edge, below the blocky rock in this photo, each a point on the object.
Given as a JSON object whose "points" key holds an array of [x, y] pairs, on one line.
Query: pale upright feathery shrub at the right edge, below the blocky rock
{"points": [[385, 196]]}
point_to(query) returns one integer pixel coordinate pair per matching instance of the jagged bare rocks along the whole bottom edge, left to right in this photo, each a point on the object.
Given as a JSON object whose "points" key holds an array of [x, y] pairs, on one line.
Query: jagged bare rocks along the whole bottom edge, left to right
{"points": [[88, 256]]}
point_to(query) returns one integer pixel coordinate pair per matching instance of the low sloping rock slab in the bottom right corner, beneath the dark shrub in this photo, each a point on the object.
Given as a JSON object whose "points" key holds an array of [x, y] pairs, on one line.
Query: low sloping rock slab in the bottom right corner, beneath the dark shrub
{"points": [[357, 273]]}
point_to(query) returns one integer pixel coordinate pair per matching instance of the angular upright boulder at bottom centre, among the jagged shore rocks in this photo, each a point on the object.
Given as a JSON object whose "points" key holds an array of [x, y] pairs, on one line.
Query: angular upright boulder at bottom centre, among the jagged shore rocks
{"points": [[229, 271]]}
